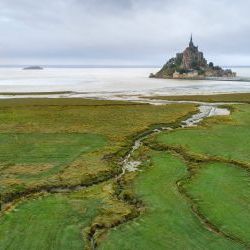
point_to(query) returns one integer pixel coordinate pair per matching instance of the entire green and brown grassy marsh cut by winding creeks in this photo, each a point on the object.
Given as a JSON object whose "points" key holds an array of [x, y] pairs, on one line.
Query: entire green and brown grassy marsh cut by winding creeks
{"points": [[62, 176]]}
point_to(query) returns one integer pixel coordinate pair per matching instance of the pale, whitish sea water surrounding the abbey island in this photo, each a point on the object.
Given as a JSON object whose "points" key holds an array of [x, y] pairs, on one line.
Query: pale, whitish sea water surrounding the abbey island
{"points": [[110, 81]]}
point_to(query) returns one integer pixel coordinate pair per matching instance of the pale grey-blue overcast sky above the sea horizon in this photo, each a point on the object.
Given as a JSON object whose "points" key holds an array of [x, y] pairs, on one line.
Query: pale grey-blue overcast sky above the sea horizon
{"points": [[145, 32]]}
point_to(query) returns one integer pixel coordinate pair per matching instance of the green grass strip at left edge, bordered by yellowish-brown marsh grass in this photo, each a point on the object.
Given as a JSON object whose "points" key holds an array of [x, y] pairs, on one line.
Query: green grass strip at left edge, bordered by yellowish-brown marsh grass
{"points": [[46, 148]]}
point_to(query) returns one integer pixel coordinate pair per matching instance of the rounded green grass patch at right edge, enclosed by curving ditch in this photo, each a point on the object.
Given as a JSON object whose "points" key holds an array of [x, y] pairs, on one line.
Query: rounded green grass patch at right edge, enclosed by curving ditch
{"points": [[222, 193]]}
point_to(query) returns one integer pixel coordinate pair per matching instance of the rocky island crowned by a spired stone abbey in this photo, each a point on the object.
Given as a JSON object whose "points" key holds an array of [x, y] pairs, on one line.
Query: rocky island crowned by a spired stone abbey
{"points": [[191, 64]]}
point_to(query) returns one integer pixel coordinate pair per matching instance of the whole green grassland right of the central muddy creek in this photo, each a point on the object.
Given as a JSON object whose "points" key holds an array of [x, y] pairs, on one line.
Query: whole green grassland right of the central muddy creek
{"points": [[218, 191]]}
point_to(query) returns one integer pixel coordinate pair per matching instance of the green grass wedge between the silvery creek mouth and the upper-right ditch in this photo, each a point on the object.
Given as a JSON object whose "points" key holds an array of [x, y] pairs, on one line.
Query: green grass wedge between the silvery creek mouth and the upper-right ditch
{"points": [[228, 138]]}
